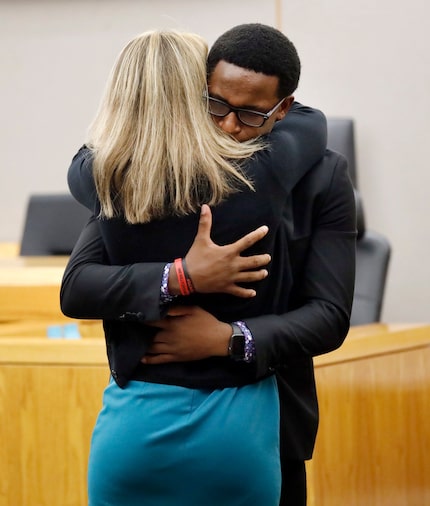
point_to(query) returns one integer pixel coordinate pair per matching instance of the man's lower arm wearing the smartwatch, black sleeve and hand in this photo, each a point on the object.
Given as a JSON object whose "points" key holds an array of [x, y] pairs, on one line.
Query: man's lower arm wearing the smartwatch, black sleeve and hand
{"points": [[319, 323]]}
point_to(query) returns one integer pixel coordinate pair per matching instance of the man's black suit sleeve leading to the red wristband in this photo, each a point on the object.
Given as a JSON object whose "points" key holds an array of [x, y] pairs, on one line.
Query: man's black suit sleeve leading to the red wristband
{"points": [[93, 290]]}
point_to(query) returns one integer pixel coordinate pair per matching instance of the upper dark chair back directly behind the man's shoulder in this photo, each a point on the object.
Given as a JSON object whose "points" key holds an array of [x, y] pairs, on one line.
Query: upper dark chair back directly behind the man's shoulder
{"points": [[340, 138]]}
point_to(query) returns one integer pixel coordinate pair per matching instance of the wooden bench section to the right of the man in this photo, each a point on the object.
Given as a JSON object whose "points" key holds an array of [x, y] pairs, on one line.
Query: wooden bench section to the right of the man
{"points": [[373, 443]]}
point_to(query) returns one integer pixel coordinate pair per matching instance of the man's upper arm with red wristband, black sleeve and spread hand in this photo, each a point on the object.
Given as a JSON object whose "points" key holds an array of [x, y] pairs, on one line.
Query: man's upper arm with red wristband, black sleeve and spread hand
{"points": [[91, 289]]}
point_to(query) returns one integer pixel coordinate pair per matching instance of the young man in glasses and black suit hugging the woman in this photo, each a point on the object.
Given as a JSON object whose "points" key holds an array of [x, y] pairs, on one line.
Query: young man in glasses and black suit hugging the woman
{"points": [[253, 71]]}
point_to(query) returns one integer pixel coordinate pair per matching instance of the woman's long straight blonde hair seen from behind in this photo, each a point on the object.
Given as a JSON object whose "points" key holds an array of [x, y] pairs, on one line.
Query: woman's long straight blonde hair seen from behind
{"points": [[156, 150]]}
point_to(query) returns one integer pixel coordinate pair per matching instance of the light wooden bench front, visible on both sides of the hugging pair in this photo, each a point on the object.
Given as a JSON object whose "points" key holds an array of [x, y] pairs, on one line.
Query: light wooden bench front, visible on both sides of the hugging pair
{"points": [[372, 447]]}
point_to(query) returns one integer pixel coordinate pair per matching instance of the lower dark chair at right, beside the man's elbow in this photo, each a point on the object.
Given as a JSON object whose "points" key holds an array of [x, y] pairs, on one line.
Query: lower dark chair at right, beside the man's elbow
{"points": [[372, 260]]}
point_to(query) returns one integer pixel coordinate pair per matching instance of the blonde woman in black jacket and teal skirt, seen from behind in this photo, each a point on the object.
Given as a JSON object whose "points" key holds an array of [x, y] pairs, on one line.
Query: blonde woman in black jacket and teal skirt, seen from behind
{"points": [[193, 432]]}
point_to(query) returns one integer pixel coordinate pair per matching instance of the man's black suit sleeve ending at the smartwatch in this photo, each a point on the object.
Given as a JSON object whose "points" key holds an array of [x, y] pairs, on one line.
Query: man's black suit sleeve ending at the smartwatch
{"points": [[320, 323]]}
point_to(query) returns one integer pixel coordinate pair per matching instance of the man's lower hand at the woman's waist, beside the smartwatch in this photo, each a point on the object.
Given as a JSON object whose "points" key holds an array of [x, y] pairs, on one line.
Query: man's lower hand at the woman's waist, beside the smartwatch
{"points": [[187, 334]]}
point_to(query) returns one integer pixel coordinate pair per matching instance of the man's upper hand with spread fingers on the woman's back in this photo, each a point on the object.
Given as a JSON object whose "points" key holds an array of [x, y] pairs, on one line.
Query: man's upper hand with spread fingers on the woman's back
{"points": [[219, 269]]}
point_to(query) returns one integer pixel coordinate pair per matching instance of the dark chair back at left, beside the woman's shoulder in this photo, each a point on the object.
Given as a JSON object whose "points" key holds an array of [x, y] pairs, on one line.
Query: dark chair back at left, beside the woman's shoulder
{"points": [[52, 225]]}
